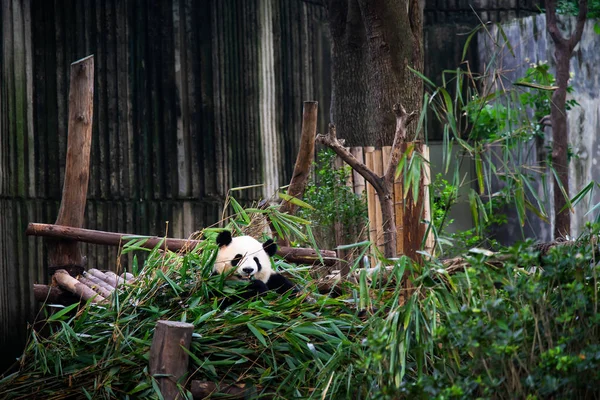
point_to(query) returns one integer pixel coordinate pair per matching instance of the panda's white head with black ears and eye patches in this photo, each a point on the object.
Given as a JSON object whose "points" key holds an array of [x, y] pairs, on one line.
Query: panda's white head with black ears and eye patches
{"points": [[247, 256]]}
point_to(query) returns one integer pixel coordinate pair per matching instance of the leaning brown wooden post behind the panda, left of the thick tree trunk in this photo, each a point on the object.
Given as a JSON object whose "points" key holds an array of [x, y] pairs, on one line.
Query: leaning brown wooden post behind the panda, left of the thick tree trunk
{"points": [[306, 155]]}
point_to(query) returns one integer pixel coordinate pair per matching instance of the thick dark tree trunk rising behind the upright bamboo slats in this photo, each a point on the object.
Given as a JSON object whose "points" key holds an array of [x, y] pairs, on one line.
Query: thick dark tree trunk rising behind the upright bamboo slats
{"points": [[373, 44]]}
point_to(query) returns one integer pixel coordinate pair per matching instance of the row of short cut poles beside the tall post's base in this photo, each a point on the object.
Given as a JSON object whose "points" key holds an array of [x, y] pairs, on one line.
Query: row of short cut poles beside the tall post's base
{"points": [[93, 284]]}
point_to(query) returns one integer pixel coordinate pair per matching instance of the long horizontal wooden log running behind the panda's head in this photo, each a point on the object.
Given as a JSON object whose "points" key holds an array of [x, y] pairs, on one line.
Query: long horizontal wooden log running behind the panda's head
{"points": [[290, 254]]}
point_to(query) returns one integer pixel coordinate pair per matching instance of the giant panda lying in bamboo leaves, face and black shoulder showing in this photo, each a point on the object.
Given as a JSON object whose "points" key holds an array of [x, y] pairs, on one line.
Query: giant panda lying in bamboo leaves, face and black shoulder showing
{"points": [[251, 261]]}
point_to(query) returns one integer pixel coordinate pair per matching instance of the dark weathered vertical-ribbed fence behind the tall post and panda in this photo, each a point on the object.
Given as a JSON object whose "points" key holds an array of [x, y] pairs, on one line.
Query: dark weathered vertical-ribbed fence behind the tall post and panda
{"points": [[191, 99]]}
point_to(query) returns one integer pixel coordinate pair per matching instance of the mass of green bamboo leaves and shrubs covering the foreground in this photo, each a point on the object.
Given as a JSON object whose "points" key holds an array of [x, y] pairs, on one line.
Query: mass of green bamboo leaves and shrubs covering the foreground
{"points": [[517, 325]]}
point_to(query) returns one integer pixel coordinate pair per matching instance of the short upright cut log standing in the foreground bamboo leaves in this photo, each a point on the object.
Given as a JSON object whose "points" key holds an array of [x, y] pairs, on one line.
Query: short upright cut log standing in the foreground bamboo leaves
{"points": [[168, 359]]}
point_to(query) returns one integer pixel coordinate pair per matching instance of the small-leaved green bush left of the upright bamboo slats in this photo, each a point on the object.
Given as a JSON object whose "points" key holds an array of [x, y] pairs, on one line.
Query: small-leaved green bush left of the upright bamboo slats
{"points": [[334, 203]]}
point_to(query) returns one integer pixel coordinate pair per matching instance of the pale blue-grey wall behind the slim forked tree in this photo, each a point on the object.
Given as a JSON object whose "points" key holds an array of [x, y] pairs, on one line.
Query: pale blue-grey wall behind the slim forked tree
{"points": [[532, 44]]}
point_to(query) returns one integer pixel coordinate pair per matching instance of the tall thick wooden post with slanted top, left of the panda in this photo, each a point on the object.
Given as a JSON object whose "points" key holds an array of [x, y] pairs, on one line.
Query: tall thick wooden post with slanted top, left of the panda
{"points": [[66, 254]]}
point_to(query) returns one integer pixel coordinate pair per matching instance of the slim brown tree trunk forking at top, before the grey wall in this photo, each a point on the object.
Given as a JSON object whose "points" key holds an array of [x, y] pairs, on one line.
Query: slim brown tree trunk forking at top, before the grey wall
{"points": [[558, 113]]}
